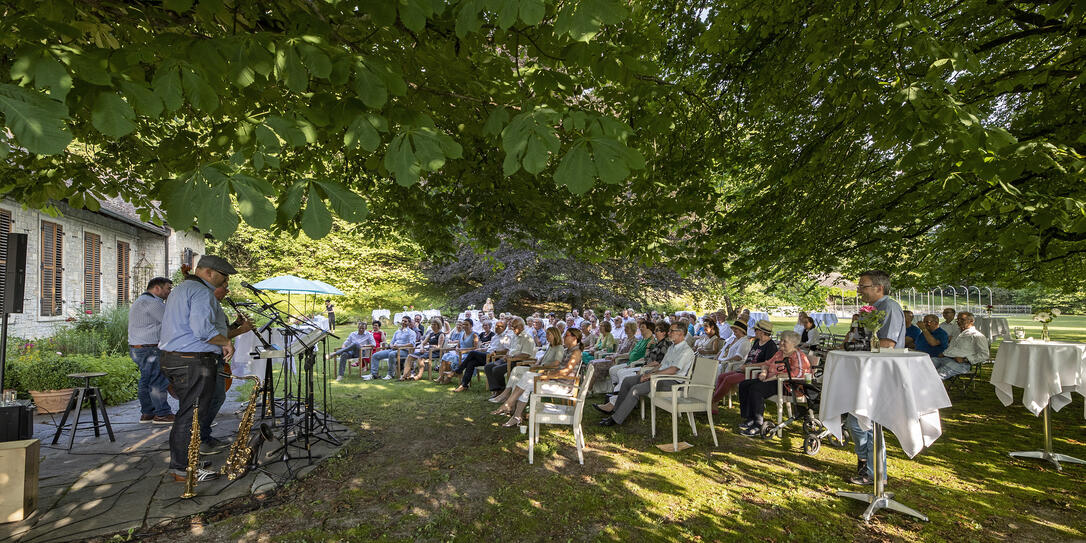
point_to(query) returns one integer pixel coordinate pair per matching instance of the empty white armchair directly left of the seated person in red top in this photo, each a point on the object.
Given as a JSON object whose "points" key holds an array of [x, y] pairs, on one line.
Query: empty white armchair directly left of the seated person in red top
{"points": [[690, 398]]}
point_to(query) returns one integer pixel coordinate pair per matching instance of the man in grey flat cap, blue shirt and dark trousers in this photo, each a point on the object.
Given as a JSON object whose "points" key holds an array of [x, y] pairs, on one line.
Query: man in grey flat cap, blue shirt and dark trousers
{"points": [[192, 344]]}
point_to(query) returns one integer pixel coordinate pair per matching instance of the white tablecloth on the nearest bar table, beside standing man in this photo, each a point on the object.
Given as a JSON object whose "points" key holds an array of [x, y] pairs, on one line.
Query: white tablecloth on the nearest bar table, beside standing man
{"points": [[901, 392]]}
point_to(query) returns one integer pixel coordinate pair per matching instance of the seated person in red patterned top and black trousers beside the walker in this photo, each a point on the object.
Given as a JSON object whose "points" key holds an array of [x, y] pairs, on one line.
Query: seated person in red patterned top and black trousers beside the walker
{"points": [[789, 362]]}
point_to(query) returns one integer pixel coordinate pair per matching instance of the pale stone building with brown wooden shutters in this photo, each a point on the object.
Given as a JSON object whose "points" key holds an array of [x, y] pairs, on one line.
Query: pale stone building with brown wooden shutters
{"points": [[83, 261]]}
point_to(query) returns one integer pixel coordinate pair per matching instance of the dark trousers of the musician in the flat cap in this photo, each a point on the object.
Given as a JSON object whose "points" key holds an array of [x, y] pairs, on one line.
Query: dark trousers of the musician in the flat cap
{"points": [[191, 377]]}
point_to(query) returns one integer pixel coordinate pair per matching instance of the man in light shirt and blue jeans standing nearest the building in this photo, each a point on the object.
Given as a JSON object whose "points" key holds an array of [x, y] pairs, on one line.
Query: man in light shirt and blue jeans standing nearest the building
{"points": [[145, 329]]}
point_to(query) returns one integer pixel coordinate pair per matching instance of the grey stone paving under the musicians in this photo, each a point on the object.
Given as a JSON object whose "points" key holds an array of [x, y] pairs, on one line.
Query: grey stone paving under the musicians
{"points": [[102, 488]]}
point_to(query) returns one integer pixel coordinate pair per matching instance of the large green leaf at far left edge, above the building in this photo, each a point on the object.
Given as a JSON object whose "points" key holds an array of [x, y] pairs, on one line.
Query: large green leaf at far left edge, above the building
{"points": [[39, 123]]}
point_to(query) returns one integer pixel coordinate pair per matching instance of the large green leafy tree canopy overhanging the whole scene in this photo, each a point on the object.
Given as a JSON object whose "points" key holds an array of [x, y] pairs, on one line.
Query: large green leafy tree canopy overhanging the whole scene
{"points": [[942, 141]]}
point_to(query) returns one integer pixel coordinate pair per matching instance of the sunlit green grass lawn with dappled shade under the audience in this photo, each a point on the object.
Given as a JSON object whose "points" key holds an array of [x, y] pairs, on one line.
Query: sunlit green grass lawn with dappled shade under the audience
{"points": [[433, 465]]}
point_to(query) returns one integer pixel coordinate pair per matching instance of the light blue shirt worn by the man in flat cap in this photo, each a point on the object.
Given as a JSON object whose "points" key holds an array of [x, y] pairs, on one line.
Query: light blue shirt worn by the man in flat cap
{"points": [[192, 319]]}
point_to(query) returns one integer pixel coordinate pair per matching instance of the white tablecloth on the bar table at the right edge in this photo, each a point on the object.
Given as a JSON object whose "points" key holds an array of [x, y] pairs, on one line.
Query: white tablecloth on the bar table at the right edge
{"points": [[1047, 372]]}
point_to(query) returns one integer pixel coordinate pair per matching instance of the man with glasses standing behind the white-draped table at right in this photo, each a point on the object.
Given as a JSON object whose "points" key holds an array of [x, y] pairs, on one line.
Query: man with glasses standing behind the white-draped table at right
{"points": [[873, 288]]}
